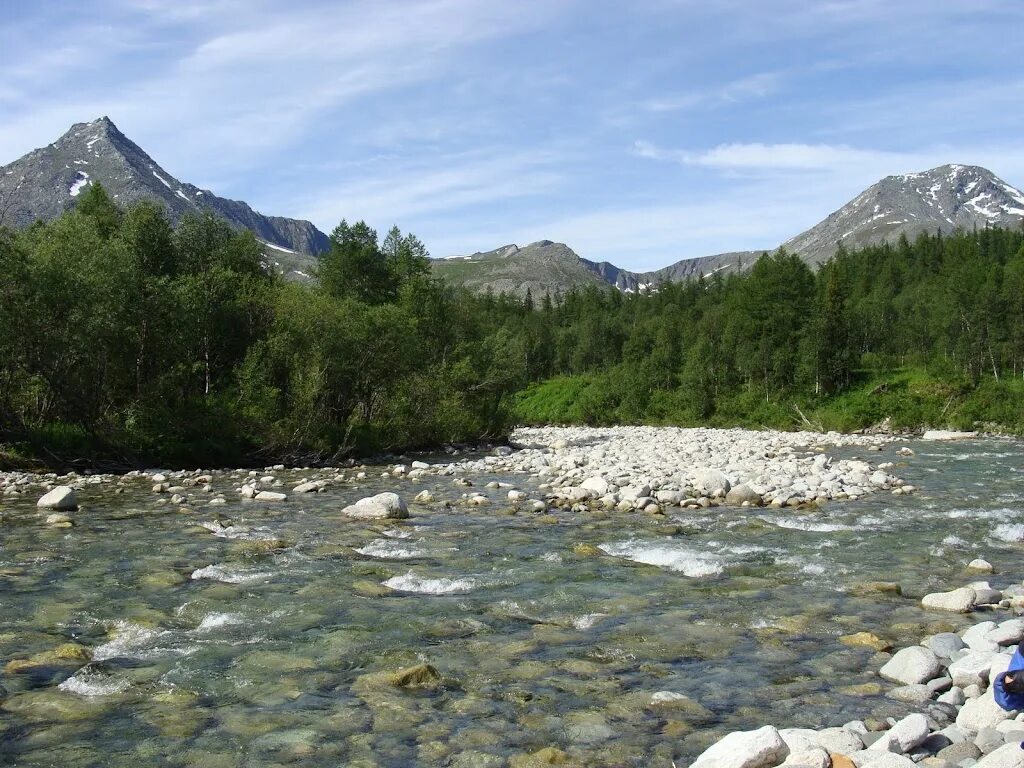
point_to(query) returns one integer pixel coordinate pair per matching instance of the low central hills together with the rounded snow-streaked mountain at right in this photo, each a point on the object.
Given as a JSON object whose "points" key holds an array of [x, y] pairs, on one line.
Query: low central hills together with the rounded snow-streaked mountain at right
{"points": [[943, 199]]}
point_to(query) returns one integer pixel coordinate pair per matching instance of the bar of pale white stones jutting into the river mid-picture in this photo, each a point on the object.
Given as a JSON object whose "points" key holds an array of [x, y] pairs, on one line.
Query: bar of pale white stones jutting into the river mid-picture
{"points": [[651, 468]]}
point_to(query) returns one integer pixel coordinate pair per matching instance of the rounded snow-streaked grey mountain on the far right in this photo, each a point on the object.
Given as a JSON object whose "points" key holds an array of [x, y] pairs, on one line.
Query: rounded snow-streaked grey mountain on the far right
{"points": [[944, 199]]}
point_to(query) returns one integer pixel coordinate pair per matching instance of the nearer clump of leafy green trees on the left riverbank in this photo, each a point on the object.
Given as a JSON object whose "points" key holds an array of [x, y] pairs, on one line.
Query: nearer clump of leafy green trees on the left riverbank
{"points": [[124, 338]]}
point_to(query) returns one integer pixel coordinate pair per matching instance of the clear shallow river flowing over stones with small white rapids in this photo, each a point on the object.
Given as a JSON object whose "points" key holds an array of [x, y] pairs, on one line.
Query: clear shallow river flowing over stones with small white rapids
{"points": [[215, 647]]}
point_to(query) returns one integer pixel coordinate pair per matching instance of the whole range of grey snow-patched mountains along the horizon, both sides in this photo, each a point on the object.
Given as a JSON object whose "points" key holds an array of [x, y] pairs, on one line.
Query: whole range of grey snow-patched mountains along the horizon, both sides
{"points": [[47, 183]]}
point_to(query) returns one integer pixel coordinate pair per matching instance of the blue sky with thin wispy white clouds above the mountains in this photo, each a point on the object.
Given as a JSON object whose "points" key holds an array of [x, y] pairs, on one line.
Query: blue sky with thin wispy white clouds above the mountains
{"points": [[639, 134]]}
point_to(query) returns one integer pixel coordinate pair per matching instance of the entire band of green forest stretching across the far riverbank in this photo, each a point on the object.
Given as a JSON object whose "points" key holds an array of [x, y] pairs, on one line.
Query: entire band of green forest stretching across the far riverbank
{"points": [[124, 339]]}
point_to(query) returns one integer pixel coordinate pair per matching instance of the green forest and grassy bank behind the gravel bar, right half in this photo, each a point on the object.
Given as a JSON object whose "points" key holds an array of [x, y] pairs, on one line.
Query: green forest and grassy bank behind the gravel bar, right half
{"points": [[937, 321]]}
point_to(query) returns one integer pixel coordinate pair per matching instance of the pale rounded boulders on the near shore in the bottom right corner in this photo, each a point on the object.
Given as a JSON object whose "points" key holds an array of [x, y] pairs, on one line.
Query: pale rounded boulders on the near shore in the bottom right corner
{"points": [[950, 675]]}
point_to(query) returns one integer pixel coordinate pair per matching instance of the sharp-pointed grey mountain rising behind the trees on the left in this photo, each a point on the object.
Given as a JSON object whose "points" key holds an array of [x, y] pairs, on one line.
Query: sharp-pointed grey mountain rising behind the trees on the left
{"points": [[46, 183]]}
